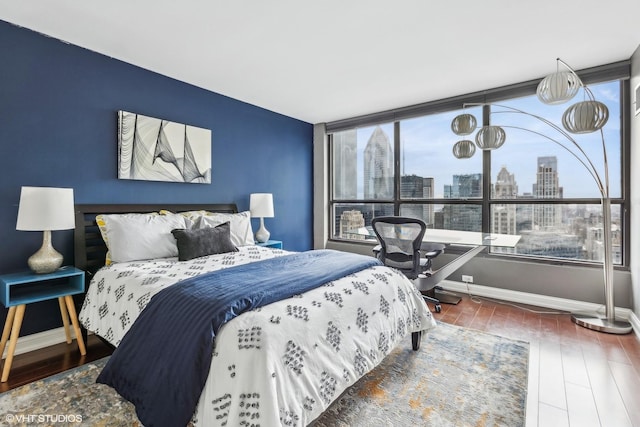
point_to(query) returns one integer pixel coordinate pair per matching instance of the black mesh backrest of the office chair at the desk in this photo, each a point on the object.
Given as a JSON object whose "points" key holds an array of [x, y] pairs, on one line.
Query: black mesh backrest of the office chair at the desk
{"points": [[400, 239]]}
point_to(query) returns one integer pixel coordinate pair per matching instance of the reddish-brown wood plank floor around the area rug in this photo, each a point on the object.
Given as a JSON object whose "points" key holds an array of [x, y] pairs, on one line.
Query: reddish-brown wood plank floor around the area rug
{"points": [[577, 377]]}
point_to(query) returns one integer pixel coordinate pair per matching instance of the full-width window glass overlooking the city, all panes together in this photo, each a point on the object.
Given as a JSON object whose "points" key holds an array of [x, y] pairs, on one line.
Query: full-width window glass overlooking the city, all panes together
{"points": [[532, 186]]}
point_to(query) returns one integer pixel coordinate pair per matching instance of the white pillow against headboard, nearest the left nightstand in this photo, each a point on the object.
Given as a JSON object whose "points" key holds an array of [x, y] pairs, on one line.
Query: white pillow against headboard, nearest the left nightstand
{"points": [[133, 237]]}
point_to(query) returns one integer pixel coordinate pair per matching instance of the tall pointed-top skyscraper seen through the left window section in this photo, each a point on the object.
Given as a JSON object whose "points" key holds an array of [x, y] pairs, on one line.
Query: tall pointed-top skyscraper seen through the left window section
{"points": [[378, 166]]}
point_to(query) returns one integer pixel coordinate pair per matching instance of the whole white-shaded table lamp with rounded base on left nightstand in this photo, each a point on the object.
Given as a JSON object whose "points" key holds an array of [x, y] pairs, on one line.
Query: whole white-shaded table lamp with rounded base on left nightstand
{"points": [[45, 209]]}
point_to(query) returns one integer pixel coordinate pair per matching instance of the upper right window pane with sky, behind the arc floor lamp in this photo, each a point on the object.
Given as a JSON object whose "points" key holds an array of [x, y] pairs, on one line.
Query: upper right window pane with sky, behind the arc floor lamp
{"points": [[541, 167]]}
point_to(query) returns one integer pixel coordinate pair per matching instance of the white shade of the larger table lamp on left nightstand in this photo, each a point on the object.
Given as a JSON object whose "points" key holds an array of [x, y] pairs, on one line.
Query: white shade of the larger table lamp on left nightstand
{"points": [[45, 208]]}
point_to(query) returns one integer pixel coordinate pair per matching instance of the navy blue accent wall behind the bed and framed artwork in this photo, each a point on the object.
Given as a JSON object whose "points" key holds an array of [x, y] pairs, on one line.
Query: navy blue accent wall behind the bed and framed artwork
{"points": [[58, 127]]}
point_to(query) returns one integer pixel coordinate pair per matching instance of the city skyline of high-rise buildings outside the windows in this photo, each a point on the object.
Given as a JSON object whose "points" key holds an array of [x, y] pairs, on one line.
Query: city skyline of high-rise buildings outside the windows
{"points": [[565, 231]]}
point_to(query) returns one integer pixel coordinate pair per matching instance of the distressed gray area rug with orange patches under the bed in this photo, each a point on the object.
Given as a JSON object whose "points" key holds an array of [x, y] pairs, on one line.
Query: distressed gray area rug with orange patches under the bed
{"points": [[459, 377]]}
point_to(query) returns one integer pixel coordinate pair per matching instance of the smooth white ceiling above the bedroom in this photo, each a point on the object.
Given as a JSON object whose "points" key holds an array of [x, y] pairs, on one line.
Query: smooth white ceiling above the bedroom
{"points": [[325, 60]]}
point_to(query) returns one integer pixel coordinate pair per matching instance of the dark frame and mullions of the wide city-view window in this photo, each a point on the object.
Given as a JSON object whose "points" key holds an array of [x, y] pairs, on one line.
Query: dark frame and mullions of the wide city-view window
{"points": [[617, 71]]}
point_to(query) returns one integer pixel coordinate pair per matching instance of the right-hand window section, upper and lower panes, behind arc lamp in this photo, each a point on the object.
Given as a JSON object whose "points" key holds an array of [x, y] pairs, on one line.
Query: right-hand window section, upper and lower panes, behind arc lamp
{"points": [[532, 165]]}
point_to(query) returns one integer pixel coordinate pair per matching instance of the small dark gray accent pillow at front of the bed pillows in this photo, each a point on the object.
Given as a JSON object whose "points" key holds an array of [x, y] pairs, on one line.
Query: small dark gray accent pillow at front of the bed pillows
{"points": [[195, 243]]}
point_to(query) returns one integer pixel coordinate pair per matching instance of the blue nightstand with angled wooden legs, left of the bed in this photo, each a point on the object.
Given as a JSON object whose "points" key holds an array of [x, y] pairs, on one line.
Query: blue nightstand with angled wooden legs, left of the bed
{"points": [[19, 289]]}
